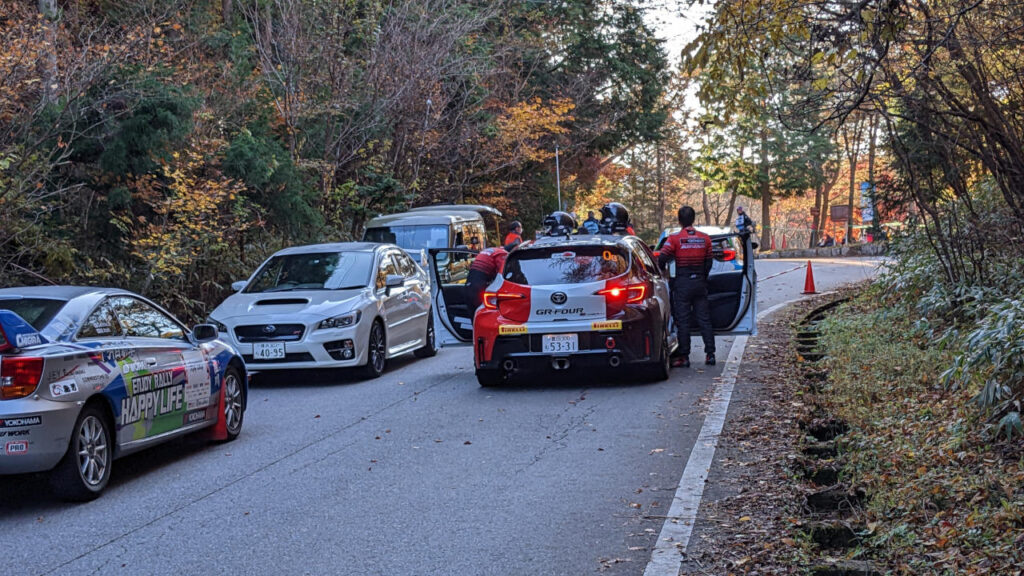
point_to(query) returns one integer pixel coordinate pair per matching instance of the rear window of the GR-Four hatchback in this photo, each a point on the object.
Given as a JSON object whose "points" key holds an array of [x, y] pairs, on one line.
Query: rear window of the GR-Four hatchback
{"points": [[566, 266]]}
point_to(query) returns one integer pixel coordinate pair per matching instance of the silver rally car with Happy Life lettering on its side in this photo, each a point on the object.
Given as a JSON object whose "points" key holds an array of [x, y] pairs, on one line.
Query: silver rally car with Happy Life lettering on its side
{"points": [[91, 375]]}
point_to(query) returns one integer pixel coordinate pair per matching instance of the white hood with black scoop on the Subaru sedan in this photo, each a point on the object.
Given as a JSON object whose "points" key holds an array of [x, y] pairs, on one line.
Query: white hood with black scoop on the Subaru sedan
{"points": [[306, 305]]}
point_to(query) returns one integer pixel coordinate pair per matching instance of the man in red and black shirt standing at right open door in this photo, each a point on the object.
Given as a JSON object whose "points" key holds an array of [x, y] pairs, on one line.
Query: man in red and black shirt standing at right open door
{"points": [[692, 252]]}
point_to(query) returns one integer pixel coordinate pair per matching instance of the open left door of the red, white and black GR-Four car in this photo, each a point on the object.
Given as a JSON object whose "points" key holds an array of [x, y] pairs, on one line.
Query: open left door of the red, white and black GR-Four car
{"points": [[449, 269]]}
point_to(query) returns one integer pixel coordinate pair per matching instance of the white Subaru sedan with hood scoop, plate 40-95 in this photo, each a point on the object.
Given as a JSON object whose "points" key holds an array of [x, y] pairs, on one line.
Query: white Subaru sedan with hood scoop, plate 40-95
{"points": [[330, 306]]}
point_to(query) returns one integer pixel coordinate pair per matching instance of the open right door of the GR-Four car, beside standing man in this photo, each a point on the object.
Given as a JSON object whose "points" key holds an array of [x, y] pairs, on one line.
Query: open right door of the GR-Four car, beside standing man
{"points": [[733, 286]]}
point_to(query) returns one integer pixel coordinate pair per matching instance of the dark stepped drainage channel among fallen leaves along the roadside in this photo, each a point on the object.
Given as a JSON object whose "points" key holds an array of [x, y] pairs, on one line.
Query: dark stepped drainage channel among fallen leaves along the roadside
{"points": [[830, 506]]}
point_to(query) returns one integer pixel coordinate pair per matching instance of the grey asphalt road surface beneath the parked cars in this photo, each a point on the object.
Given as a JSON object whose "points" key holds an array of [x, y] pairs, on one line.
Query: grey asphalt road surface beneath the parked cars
{"points": [[420, 472]]}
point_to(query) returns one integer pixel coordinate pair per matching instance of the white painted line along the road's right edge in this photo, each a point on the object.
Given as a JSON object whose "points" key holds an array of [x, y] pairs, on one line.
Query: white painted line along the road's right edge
{"points": [[668, 556]]}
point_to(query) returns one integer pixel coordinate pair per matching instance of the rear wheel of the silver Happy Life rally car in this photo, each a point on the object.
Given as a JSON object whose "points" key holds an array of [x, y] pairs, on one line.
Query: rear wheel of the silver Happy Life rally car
{"points": [[86, 470]]}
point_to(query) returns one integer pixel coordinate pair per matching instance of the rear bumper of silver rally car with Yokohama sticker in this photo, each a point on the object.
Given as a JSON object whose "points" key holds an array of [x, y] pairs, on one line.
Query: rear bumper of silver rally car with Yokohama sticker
{"points": [[35, 447]]}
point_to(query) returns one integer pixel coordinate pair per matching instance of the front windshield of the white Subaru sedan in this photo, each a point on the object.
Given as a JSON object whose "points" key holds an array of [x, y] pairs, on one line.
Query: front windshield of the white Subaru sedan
{"points": [[321, 271]]}
